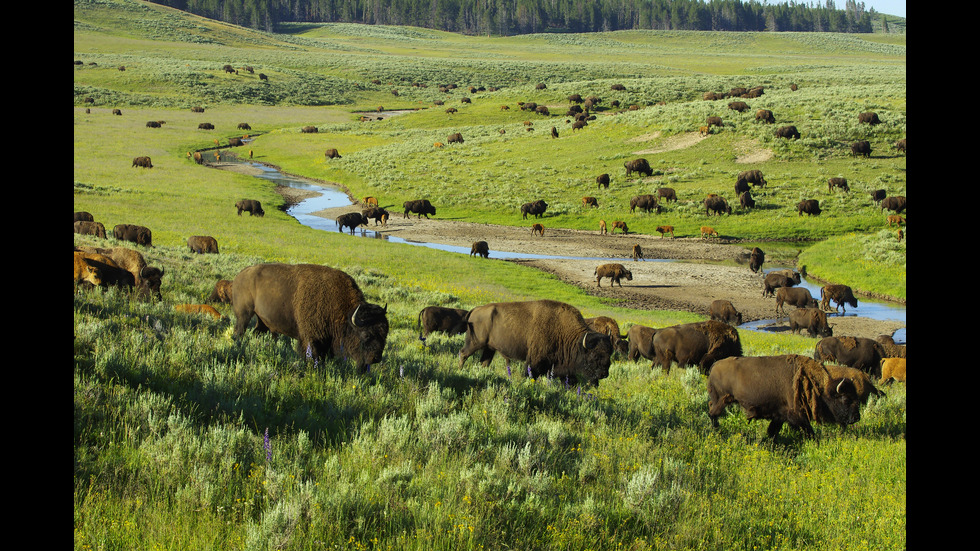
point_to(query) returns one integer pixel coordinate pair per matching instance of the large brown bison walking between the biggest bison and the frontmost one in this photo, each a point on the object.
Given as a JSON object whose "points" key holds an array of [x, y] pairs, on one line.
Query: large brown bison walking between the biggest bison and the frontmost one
{"points": [[550, 338]]}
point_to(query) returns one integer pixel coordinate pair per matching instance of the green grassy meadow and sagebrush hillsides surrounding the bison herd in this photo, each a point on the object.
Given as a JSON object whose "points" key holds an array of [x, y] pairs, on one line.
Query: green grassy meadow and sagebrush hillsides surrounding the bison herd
{"points": [[185, 438]]}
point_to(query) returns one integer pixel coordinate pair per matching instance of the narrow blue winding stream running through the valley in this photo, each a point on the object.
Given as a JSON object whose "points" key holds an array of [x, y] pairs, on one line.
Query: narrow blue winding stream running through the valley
{"points": [[332, 198]]}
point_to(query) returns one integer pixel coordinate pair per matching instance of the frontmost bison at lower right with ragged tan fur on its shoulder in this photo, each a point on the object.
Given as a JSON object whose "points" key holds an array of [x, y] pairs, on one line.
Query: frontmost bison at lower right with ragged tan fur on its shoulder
{"points": [[783, 389]]}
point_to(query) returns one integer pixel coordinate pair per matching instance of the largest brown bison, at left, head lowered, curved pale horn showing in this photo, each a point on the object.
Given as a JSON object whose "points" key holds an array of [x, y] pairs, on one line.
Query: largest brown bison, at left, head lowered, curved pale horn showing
{"points": [[320, 307]]}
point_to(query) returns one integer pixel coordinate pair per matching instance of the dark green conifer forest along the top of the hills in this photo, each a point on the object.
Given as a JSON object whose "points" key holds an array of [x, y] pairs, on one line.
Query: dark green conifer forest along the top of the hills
{"points": [[510, 17]]}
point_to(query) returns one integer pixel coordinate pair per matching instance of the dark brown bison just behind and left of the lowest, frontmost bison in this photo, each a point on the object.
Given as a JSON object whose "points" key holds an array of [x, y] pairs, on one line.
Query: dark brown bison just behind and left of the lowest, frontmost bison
{"points": [[700, 343]]}
